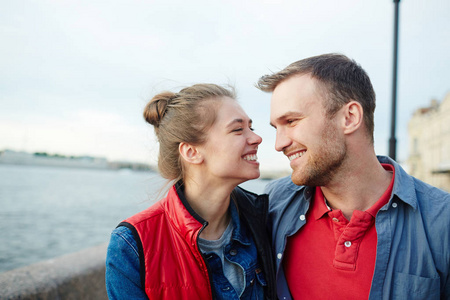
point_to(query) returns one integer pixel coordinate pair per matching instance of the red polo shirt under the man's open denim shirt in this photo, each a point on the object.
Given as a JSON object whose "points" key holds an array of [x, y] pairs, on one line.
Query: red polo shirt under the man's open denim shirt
{"points": [[330, 257]]}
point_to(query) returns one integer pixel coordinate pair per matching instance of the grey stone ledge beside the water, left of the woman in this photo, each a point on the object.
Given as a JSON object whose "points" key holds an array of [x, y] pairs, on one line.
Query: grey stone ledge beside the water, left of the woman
{"points": [[80, 275]]}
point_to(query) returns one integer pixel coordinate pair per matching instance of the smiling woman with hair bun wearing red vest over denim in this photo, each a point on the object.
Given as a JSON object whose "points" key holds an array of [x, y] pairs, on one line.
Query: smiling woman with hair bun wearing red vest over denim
{"points": [[206, 239]]}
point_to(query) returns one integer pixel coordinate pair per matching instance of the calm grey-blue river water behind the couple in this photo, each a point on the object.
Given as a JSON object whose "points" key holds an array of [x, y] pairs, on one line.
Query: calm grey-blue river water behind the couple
{"points": [[47, 212]]}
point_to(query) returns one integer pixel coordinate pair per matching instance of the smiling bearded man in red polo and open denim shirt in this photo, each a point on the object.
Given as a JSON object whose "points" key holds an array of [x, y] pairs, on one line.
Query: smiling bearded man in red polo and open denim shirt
{"points": [[348, 224]]}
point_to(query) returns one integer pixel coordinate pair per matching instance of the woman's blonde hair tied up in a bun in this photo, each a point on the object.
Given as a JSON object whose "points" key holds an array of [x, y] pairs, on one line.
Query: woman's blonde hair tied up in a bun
{"points": [[186, 117]]}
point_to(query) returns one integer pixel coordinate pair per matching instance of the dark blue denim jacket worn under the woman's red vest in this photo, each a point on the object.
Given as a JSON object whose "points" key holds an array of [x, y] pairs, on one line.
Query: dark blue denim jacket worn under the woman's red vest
{"points": [[122, 265]]}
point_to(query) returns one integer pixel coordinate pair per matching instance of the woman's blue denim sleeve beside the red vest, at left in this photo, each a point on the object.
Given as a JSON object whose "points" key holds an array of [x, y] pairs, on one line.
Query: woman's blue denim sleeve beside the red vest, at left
{"points": [[123, 280]]}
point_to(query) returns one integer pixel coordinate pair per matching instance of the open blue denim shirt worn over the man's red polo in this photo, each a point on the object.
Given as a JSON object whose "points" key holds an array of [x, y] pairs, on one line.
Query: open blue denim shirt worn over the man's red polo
{"points": [[413, 230]]}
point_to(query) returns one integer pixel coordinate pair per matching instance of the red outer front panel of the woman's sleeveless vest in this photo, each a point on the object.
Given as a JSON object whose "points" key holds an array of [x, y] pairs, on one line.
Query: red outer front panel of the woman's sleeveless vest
{"points": [[172, 266]]}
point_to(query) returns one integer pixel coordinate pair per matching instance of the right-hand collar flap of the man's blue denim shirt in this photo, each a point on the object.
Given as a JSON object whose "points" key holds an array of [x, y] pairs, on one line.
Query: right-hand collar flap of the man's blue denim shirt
{"points": [[403, 189]]}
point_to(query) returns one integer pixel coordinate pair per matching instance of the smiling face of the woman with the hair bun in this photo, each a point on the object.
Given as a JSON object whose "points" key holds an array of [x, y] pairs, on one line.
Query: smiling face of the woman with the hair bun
{"points": [[230, 149]]}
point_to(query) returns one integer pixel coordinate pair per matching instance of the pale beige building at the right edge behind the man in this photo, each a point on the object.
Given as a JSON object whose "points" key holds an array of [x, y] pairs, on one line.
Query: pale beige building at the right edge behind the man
{"points": [[429, 144]]}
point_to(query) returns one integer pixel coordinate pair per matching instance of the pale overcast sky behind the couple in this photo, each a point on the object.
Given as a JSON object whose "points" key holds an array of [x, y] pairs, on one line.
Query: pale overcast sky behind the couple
{"points": [[75, 75]]}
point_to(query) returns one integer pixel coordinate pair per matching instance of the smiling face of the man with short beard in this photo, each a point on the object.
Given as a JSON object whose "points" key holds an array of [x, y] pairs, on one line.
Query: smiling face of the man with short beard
{"points": [[311, 140]]}
